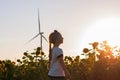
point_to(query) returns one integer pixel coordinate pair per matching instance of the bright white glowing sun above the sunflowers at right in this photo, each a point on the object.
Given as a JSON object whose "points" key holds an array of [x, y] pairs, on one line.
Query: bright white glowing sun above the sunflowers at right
{"points": [[105, 29]]}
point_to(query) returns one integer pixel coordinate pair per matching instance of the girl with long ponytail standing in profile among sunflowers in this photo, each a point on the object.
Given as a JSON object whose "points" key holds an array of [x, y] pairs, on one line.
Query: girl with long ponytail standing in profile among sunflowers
{"points": [[57, 69]]}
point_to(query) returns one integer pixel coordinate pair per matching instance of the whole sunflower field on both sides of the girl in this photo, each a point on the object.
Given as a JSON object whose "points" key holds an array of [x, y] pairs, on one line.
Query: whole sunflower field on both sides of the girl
{"points": [[101, 62]]}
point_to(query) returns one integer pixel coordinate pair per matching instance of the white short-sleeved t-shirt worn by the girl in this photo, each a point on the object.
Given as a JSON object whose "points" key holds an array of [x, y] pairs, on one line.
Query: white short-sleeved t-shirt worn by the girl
{"points": [[55, 67]]}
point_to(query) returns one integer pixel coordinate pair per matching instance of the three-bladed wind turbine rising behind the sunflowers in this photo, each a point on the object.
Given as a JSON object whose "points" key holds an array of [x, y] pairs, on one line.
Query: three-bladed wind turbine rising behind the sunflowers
{"points": [[40, 33]]}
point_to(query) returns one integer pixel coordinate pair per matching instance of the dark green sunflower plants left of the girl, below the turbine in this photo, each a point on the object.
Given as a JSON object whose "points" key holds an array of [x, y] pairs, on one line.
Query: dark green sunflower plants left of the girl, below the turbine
{"points": [[33, 66]]}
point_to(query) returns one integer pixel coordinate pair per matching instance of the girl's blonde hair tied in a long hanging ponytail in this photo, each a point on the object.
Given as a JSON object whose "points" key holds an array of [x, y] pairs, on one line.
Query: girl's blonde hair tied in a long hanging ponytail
{"points": [[52, 39]]}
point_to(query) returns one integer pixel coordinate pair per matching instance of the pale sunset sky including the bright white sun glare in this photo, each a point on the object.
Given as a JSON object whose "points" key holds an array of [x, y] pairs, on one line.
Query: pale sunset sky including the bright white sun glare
{"points": [[79, 21]]}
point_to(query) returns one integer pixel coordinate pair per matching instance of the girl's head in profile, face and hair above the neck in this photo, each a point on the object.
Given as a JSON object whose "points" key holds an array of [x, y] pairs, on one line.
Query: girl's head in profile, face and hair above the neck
{"points": [[55, 37]]}
